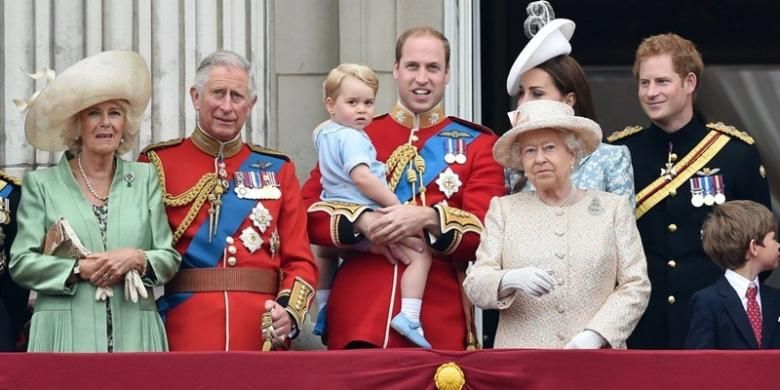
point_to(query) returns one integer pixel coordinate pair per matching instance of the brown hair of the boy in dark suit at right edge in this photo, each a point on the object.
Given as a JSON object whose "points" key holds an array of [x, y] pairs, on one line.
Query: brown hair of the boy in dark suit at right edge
{"points": [[729, 229]]}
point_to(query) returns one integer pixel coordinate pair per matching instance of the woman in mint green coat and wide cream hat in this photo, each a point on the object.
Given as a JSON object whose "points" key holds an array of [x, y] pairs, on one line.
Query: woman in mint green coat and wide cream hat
{"points": [[93, 228]]}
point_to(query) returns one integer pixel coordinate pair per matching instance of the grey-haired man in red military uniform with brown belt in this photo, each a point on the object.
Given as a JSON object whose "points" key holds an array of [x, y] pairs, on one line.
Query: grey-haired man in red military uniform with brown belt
{"points": [[238, 222]]}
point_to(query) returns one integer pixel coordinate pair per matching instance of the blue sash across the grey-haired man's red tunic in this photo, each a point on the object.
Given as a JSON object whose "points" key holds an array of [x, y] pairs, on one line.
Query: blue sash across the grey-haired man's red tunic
{"points": [[204, 254]]}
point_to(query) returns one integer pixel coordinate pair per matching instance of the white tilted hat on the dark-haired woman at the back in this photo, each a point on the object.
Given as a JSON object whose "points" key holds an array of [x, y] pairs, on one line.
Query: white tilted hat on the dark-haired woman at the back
{"points": [[551, 41]]}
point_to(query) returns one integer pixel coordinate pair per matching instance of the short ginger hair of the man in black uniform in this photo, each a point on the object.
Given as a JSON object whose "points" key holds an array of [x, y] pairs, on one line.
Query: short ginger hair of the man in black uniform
{"points": [[685, 58]]}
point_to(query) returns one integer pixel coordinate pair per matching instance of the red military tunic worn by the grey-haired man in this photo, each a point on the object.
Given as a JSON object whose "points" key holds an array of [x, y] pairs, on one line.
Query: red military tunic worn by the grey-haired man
{"points": [[220, 320]]}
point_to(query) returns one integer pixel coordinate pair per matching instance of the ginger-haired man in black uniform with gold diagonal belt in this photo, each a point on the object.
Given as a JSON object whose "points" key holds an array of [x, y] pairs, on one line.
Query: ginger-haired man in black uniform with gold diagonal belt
{"points": [[682, 168]]}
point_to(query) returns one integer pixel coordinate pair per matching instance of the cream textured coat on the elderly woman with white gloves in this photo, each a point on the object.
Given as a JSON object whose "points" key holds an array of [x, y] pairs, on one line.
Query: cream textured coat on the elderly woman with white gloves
{"points": [[595, 253]]}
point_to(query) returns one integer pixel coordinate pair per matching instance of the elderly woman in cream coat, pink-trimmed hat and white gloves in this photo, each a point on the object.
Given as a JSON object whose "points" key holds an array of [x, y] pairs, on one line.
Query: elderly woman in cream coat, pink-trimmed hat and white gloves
{"points": [[564, 266]]}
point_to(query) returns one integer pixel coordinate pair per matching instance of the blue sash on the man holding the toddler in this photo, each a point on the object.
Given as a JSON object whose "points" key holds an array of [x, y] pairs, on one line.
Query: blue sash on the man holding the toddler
{"points": [[433, 153]]}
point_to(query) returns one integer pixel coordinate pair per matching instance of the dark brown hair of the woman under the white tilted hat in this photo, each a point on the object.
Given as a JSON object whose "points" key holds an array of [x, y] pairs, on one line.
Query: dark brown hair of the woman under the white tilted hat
{"points": [[568, 77]]}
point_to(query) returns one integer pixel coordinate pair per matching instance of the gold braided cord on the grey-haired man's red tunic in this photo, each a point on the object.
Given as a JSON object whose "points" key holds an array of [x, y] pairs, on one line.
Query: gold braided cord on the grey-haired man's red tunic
{"points": [[196, 195]]}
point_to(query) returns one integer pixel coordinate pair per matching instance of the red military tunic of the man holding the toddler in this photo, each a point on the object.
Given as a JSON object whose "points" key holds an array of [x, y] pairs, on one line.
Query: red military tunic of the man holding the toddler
{"points": [[366, 291]]}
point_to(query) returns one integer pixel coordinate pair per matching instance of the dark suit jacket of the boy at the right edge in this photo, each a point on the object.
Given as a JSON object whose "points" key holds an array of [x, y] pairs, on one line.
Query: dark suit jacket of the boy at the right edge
{"points": [[718, 320]]}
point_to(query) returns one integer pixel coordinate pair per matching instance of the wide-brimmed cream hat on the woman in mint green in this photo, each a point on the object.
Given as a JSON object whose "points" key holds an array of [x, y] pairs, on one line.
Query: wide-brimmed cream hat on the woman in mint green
{"points": [[110, 75]]}
